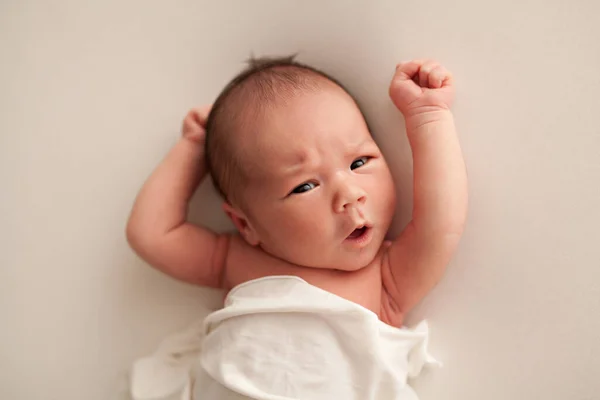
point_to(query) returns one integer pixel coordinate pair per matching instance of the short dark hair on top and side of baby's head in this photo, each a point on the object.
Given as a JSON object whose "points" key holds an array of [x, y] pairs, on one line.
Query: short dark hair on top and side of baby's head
{"points": [[263, 82]]}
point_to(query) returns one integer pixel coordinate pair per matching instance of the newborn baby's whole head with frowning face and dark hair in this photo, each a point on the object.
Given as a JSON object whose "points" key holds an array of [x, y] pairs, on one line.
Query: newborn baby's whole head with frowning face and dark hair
{"points": [[290, 152]]}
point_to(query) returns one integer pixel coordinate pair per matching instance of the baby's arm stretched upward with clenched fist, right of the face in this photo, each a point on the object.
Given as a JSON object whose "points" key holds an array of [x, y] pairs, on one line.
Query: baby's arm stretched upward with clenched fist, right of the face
{"points": [[423, 91]]}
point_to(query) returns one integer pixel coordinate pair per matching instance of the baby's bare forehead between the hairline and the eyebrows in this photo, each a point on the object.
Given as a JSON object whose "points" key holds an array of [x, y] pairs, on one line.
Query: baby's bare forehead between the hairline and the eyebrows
{"points": [[301, 130]]}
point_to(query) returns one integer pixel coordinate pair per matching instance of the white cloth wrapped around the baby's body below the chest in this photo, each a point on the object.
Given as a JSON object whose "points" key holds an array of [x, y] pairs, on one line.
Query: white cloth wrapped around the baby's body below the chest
{"points": [[280, 338]]}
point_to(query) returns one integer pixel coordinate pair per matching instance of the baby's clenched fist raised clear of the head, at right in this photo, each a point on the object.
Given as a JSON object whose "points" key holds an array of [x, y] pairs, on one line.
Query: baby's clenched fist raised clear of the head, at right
{"points": [[421, 86]]}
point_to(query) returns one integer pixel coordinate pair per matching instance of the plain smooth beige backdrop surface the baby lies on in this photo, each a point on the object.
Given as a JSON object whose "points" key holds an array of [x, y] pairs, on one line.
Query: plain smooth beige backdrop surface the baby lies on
{"points": [[92, 94]]}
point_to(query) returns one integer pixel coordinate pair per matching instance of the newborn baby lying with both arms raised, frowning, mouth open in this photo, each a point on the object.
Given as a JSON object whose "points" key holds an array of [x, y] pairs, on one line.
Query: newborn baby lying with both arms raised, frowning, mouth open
{"points": [[310, 194]]}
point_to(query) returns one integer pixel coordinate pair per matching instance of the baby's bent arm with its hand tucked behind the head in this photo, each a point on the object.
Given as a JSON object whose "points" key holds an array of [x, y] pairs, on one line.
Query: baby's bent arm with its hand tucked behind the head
{"points": [[157, 228]]}
